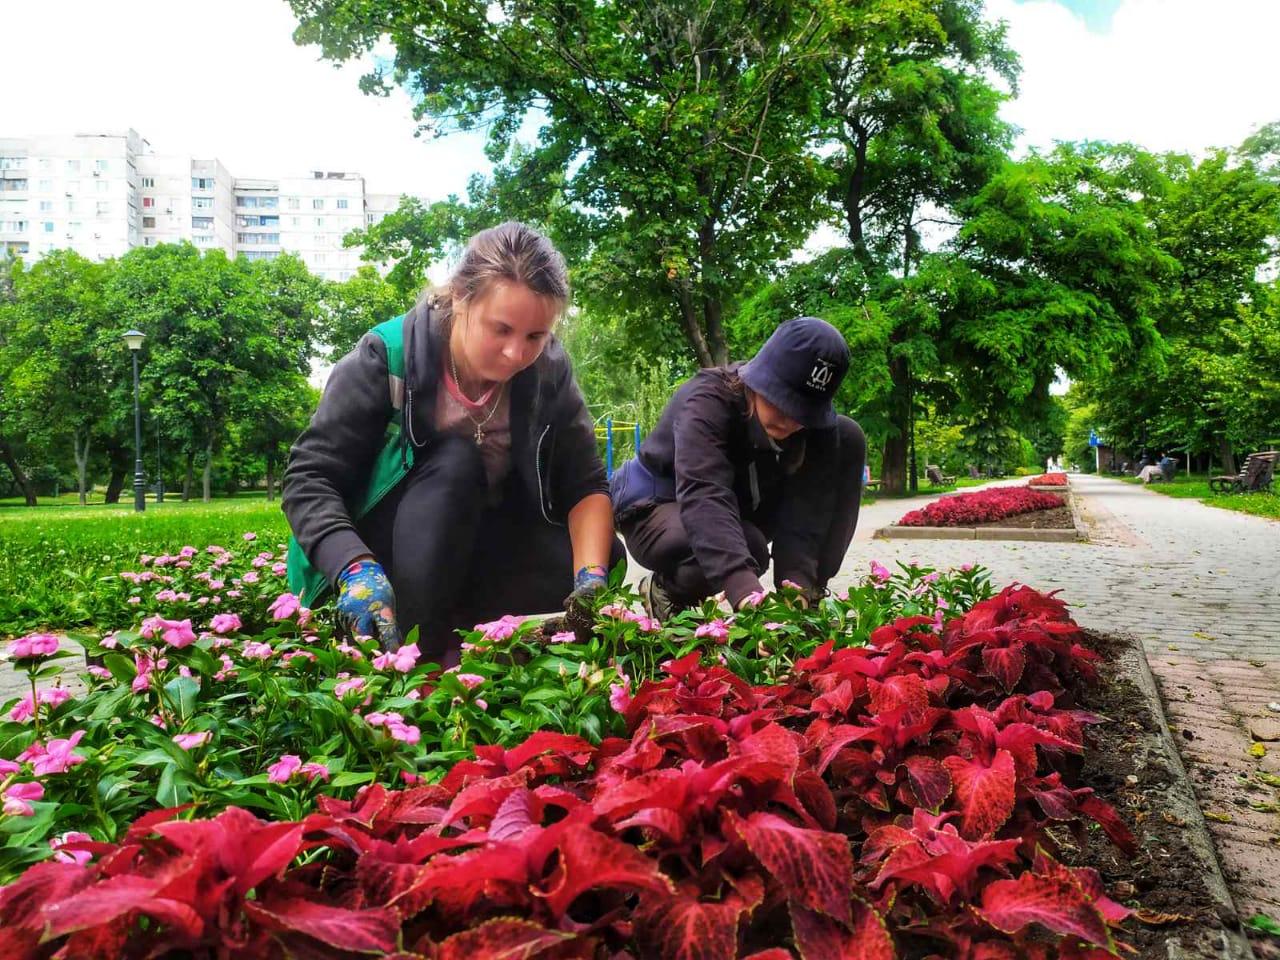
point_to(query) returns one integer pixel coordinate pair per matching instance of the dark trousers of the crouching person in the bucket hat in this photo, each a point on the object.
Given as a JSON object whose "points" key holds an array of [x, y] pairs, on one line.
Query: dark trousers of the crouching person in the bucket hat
{"points": [[659, 541]]}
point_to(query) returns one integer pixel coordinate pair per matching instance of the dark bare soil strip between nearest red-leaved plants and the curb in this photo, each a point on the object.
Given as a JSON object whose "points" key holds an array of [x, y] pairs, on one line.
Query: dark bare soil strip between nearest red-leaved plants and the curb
{"points": [[1127, 766]]}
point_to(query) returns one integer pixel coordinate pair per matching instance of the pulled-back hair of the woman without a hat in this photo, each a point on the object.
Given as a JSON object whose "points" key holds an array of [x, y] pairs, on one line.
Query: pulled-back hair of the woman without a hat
{"points": [[511, 252]]}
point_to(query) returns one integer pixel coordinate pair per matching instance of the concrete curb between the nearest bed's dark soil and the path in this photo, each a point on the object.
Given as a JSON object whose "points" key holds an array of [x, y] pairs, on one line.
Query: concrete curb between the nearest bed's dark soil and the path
{"points": [[1236, 944]]}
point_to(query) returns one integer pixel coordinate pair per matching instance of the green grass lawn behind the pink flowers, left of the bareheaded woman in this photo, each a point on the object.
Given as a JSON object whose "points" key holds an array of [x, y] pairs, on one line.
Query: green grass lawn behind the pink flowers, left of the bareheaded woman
{"points": [[57, 564]]}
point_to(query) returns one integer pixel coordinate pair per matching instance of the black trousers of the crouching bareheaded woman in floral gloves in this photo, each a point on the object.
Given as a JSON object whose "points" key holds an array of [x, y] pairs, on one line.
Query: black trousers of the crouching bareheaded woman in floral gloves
{"points": [[456, 561]]}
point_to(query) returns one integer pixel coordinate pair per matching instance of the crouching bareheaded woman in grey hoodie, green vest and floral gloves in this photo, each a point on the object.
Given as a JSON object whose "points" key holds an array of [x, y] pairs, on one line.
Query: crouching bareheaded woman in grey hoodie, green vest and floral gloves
{"points": [[451, 474]]}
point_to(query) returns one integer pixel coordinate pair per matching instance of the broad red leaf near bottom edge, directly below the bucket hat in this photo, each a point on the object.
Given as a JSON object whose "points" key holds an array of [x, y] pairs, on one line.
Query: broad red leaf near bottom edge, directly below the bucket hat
{"points": [[815, 868]]}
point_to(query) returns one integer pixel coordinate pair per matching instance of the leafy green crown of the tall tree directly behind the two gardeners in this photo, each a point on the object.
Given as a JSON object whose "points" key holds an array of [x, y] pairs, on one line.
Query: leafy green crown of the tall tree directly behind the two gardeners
{"points": [[674, 149]]}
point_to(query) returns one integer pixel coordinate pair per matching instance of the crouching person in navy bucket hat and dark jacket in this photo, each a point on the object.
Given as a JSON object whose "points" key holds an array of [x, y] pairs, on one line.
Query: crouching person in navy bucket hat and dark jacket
{"points": [[749, 463]]}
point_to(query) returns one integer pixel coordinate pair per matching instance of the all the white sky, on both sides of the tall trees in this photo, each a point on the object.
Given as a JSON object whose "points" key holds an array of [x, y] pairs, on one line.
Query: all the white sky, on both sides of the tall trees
{"points": [[226, 80]]}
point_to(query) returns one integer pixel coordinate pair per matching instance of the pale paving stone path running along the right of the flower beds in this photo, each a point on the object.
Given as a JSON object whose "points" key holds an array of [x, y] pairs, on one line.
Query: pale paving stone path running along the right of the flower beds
{"points": [[1201, 588]]}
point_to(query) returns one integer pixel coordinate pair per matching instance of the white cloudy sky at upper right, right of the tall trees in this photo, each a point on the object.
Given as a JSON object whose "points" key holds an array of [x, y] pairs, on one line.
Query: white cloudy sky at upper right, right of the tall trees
{"points": [[1169, 75]]}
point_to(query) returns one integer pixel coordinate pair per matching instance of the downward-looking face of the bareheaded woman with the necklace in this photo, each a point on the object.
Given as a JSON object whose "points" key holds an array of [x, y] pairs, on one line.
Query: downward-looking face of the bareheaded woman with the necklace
{"points": [[504, 330]]}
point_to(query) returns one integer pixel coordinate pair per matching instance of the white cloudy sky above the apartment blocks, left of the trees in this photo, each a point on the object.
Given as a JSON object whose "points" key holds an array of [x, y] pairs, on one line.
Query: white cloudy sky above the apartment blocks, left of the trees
{"points": [[217, 80]]}
